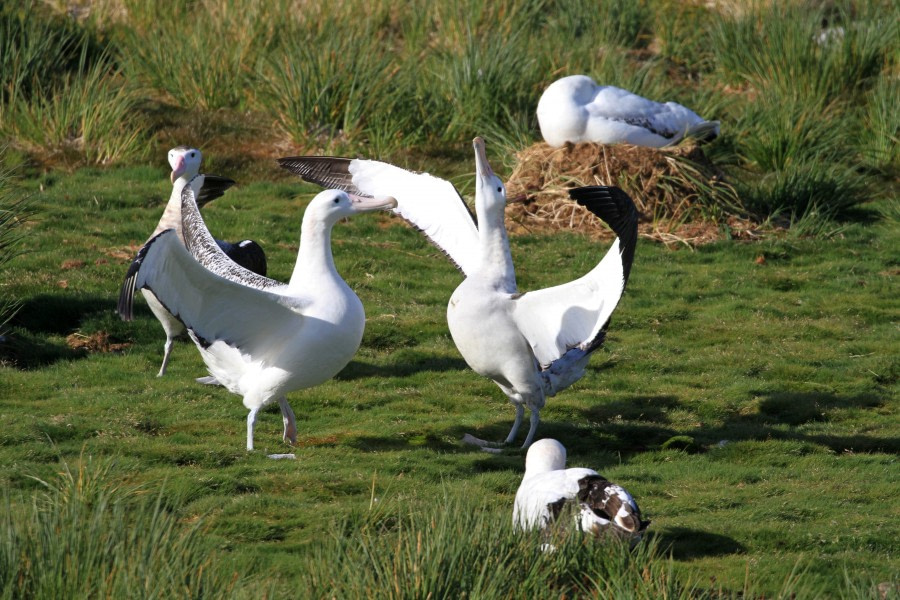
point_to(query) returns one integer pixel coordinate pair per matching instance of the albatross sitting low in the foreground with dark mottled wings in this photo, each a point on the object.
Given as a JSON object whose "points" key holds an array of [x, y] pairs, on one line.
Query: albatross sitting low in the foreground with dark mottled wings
{"points": [[548, 489]]}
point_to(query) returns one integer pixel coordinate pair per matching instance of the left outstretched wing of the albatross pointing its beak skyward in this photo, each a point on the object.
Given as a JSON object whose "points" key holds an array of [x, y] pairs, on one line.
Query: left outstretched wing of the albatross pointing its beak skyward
{"points": [[429, 203]]}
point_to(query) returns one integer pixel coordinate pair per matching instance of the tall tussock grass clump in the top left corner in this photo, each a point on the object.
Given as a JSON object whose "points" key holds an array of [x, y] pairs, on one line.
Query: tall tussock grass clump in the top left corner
{"points": [[62, 96]]}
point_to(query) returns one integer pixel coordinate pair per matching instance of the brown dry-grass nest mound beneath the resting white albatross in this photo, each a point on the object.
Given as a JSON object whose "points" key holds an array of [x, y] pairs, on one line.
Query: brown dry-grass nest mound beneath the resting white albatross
{"points": [[681, 195]]}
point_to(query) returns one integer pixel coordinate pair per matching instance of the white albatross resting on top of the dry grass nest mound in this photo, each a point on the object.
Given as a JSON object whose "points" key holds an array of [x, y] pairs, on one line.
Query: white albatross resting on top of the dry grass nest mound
{"points": [[576, 109]]}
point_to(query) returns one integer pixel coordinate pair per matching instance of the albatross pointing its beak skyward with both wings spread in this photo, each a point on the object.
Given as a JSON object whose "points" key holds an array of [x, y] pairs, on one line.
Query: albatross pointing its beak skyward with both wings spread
{"points": [[534, 344]]}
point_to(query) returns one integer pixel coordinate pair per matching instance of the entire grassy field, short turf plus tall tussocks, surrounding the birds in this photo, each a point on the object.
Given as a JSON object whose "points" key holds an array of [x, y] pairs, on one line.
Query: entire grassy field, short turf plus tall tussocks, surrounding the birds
{"points": [[747, 393]]}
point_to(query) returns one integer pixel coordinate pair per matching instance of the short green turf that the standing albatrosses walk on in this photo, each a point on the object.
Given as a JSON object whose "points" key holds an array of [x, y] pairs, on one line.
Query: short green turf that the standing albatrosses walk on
{"points": [[747, 396]]}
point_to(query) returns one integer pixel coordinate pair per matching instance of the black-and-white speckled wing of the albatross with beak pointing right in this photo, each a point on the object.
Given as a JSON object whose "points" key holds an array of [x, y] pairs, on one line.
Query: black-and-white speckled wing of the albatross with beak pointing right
{"points": [[204, 248]]}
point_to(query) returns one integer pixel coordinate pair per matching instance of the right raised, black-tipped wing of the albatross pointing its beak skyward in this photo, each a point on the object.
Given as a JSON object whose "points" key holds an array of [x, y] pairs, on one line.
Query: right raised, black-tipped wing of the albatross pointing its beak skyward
{"points": [[575, 315]]}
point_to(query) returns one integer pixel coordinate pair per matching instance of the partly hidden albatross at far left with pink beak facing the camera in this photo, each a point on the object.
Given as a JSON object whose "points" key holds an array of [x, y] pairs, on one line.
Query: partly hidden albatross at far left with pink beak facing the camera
{"points": [[185, 162]]}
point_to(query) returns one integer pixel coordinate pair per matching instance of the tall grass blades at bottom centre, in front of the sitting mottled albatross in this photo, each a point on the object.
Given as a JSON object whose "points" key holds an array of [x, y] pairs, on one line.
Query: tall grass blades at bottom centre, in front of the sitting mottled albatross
{"points": [[452, 549]]}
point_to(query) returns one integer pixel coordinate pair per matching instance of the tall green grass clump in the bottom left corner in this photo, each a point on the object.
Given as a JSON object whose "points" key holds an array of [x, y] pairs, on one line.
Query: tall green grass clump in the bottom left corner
{"points": [[90, 536]]}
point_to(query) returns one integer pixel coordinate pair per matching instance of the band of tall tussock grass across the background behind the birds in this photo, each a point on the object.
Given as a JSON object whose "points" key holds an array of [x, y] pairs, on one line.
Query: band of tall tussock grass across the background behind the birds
{"points": [[801, 118]]}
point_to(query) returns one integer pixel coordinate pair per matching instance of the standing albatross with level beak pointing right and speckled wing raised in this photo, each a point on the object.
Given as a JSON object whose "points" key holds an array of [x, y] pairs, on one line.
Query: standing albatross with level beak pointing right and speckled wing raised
{"points": [[259, 338]]}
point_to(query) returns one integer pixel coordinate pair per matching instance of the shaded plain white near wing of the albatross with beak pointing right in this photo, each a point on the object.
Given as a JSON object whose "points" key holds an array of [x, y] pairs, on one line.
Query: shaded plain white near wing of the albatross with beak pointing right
{"points": [[213, 307]]}
